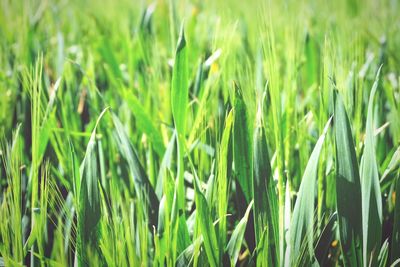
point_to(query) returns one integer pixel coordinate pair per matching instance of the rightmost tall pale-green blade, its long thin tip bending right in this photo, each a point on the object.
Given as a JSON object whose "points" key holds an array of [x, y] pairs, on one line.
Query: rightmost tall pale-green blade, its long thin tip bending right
{"points": [[371, 190]]}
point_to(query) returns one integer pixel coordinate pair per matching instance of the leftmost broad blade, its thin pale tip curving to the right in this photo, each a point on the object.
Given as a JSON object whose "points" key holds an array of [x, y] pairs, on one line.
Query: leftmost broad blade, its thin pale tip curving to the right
{"points": [[89, 200]]}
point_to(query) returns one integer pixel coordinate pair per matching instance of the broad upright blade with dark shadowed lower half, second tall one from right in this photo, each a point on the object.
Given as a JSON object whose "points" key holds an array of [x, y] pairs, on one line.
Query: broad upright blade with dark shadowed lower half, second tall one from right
{"points": [[348, 188]]}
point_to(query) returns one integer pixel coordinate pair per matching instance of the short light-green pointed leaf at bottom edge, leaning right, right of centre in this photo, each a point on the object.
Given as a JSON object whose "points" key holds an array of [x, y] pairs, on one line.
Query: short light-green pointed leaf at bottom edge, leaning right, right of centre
{"points": [[235, 243]]}
